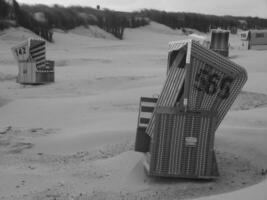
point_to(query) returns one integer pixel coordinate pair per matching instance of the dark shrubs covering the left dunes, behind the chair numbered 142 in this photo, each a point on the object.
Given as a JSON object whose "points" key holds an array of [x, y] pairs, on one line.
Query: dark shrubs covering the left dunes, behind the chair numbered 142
{"points": [[41, 19]]}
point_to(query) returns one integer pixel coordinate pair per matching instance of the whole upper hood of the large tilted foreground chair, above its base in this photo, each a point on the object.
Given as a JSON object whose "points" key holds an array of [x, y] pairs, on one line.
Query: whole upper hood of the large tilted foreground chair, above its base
{"points": [[206, 81]]}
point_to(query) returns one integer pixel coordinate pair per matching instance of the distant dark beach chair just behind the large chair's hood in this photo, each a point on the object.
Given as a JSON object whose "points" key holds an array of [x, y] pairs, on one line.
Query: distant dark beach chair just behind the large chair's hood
{"points": [[220, 41]]}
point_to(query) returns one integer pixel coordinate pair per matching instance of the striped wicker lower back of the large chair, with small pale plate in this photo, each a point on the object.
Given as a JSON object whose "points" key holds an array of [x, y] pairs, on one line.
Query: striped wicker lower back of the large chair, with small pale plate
{"points": [[183, 143]]}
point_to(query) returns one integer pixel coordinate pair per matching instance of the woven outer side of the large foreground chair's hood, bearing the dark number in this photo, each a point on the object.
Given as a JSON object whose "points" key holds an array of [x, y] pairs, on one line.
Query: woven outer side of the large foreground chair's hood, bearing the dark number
{"points": [[215, 82]]}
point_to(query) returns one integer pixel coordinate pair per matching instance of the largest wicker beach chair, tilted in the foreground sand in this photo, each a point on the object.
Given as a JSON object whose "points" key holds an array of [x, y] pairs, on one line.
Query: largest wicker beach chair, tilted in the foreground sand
{"points": [[199, 90]]}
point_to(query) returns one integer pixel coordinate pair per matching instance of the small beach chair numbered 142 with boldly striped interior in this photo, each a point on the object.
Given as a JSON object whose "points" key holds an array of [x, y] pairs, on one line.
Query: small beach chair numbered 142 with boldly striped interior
{"points": [[32, 63]]}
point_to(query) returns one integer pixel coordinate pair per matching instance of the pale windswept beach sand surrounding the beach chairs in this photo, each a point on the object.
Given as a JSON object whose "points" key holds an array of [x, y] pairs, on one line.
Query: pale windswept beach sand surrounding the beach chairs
{"points": [[74, 139]]}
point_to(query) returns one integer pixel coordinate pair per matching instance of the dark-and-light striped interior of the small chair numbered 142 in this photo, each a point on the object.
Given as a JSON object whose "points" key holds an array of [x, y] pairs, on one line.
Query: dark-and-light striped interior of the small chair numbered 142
{"points": [[37, 52]]}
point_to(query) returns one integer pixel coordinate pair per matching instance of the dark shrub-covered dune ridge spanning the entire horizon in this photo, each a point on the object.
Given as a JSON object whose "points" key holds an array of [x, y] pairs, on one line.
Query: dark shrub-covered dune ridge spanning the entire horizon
{"points": [[41, 19]]}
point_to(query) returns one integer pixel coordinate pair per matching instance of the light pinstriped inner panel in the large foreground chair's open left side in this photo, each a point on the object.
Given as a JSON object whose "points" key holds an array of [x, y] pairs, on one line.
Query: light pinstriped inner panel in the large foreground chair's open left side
{"points": [[170, 92]]}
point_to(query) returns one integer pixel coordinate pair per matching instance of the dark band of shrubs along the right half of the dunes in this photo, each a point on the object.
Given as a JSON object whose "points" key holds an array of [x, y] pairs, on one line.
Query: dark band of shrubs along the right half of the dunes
{"points": [[202, 22]]}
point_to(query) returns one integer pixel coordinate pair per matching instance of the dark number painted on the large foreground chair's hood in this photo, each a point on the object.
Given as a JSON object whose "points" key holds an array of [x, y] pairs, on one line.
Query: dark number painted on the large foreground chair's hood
{"points": [[210, 83]]}
